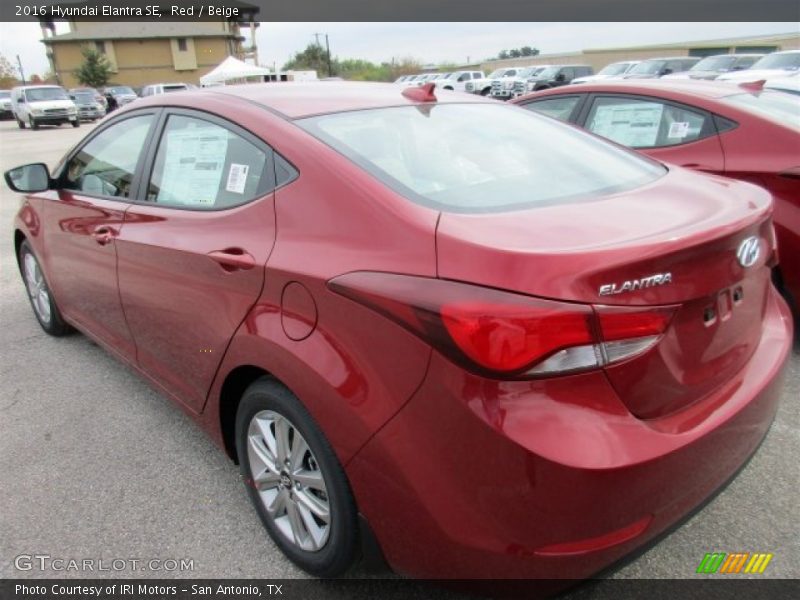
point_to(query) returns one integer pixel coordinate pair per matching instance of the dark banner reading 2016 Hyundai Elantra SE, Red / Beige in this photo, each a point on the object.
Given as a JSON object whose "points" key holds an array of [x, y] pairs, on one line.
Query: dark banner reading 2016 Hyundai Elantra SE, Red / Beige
{"points": [[406, 10]]}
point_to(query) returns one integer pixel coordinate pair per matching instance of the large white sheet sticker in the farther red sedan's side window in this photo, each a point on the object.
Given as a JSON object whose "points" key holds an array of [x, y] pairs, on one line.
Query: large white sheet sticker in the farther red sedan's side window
{"points": [[635, 124]]}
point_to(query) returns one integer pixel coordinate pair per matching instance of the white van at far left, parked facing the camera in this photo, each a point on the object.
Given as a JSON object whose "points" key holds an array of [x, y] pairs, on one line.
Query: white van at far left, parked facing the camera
{"points": [[36, 105]]}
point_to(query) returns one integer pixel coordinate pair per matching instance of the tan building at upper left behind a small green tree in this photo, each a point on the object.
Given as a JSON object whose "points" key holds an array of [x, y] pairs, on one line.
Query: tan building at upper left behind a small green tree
{"points": [[141, 53]]}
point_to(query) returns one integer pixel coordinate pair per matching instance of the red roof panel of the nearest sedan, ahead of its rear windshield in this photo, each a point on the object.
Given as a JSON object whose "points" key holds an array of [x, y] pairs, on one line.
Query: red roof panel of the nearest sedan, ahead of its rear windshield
{"points": [[295, 100]]}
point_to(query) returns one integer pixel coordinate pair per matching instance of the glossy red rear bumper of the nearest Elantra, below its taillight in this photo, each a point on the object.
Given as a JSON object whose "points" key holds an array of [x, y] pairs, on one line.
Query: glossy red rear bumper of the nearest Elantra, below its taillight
{"points": [[554, 478]]}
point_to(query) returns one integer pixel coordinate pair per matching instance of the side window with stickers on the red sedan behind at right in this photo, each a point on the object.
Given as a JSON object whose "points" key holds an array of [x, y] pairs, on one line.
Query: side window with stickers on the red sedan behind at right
{"points": [[646, 123]]}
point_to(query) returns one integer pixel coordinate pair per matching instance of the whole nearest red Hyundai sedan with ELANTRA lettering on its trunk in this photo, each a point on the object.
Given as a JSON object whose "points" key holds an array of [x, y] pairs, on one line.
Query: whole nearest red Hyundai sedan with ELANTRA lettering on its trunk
{"points": [[495, 344]]}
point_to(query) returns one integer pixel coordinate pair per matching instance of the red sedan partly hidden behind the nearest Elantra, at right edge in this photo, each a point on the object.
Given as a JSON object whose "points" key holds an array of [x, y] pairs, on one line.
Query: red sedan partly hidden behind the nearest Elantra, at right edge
{"points": [[741, 132]]}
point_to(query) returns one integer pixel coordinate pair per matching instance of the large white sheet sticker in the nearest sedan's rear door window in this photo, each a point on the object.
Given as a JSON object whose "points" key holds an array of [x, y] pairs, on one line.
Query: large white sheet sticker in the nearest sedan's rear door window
{"points": [[195, 159]]}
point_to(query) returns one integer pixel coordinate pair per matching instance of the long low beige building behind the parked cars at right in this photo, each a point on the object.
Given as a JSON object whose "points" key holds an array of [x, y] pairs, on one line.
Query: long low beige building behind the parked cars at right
{"points": [[597, 58]]}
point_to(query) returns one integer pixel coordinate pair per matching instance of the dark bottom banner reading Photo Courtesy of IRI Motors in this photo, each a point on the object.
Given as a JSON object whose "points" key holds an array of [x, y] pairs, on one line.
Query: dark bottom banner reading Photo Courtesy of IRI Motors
{"points": [[722, 588]]}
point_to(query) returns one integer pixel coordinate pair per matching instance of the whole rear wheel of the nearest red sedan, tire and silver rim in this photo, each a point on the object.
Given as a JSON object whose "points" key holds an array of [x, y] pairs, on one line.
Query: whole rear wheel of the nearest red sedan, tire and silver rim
{"points": [[295, 481]]}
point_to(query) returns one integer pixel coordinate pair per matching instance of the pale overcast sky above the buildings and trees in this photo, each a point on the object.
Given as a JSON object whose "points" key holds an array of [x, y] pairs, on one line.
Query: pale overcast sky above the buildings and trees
{"points": [[431, 42]]}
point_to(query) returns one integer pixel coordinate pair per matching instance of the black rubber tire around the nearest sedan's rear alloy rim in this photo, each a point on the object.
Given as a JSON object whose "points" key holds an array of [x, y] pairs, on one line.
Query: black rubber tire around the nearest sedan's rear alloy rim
{"points": [[340, 550]]}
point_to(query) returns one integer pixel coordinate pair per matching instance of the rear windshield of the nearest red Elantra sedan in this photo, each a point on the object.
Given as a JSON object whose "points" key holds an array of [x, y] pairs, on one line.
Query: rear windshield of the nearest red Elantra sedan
{"points": [[480, 157]]}
